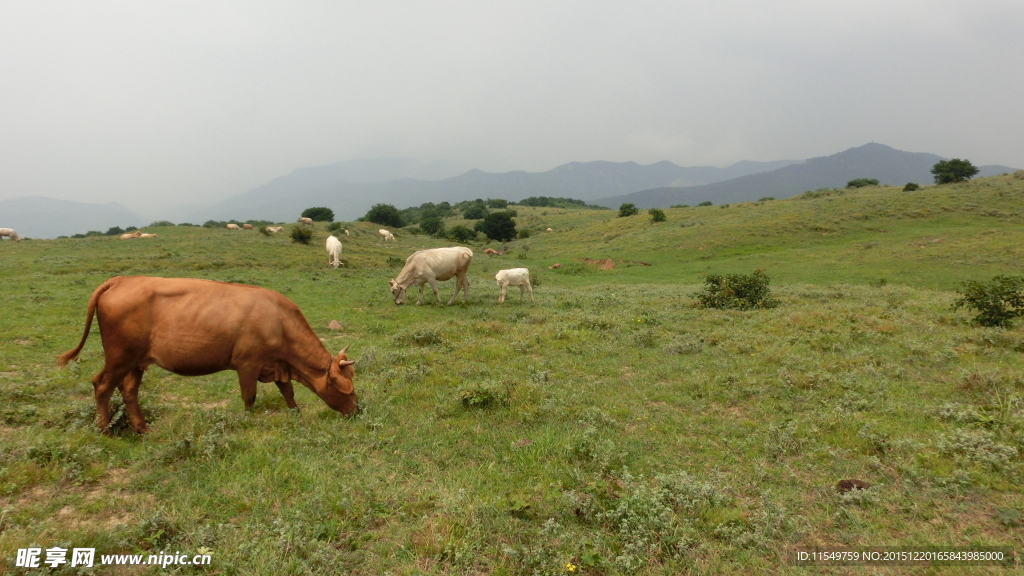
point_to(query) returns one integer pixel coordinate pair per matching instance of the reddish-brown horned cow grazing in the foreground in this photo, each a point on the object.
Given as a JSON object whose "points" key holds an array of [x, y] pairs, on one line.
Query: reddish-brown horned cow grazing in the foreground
{"points": [[198, 327]]}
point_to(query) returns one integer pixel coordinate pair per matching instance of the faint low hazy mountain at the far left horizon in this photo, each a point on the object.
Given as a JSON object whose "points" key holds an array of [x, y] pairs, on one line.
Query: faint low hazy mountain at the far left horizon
{"points": [[39, 217]]}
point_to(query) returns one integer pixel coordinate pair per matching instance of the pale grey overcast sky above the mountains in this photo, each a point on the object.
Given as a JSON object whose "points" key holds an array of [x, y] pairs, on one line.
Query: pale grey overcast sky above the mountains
{"points": [[155, 103]]}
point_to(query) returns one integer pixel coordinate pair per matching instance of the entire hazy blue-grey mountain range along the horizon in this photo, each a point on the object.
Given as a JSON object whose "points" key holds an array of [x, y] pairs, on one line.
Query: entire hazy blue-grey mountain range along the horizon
{"points": [[352, 188]]}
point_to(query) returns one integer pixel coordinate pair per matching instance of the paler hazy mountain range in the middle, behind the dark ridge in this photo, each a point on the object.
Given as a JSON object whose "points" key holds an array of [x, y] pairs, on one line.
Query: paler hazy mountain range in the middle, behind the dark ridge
{"points": [[352, 188]]}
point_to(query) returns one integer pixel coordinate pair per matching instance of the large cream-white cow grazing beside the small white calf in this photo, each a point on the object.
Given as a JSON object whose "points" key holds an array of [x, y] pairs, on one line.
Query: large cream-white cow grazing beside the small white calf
{"points": [[428, 267]]}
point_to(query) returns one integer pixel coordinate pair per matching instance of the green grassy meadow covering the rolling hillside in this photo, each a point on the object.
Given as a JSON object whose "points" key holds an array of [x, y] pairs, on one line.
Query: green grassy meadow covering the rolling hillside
{"points": [[612, 428]]}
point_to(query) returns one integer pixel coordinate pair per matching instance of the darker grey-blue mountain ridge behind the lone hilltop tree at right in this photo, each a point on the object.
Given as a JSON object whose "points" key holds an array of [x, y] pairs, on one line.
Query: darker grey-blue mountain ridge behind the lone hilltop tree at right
{"points": [[888, 166]]}
